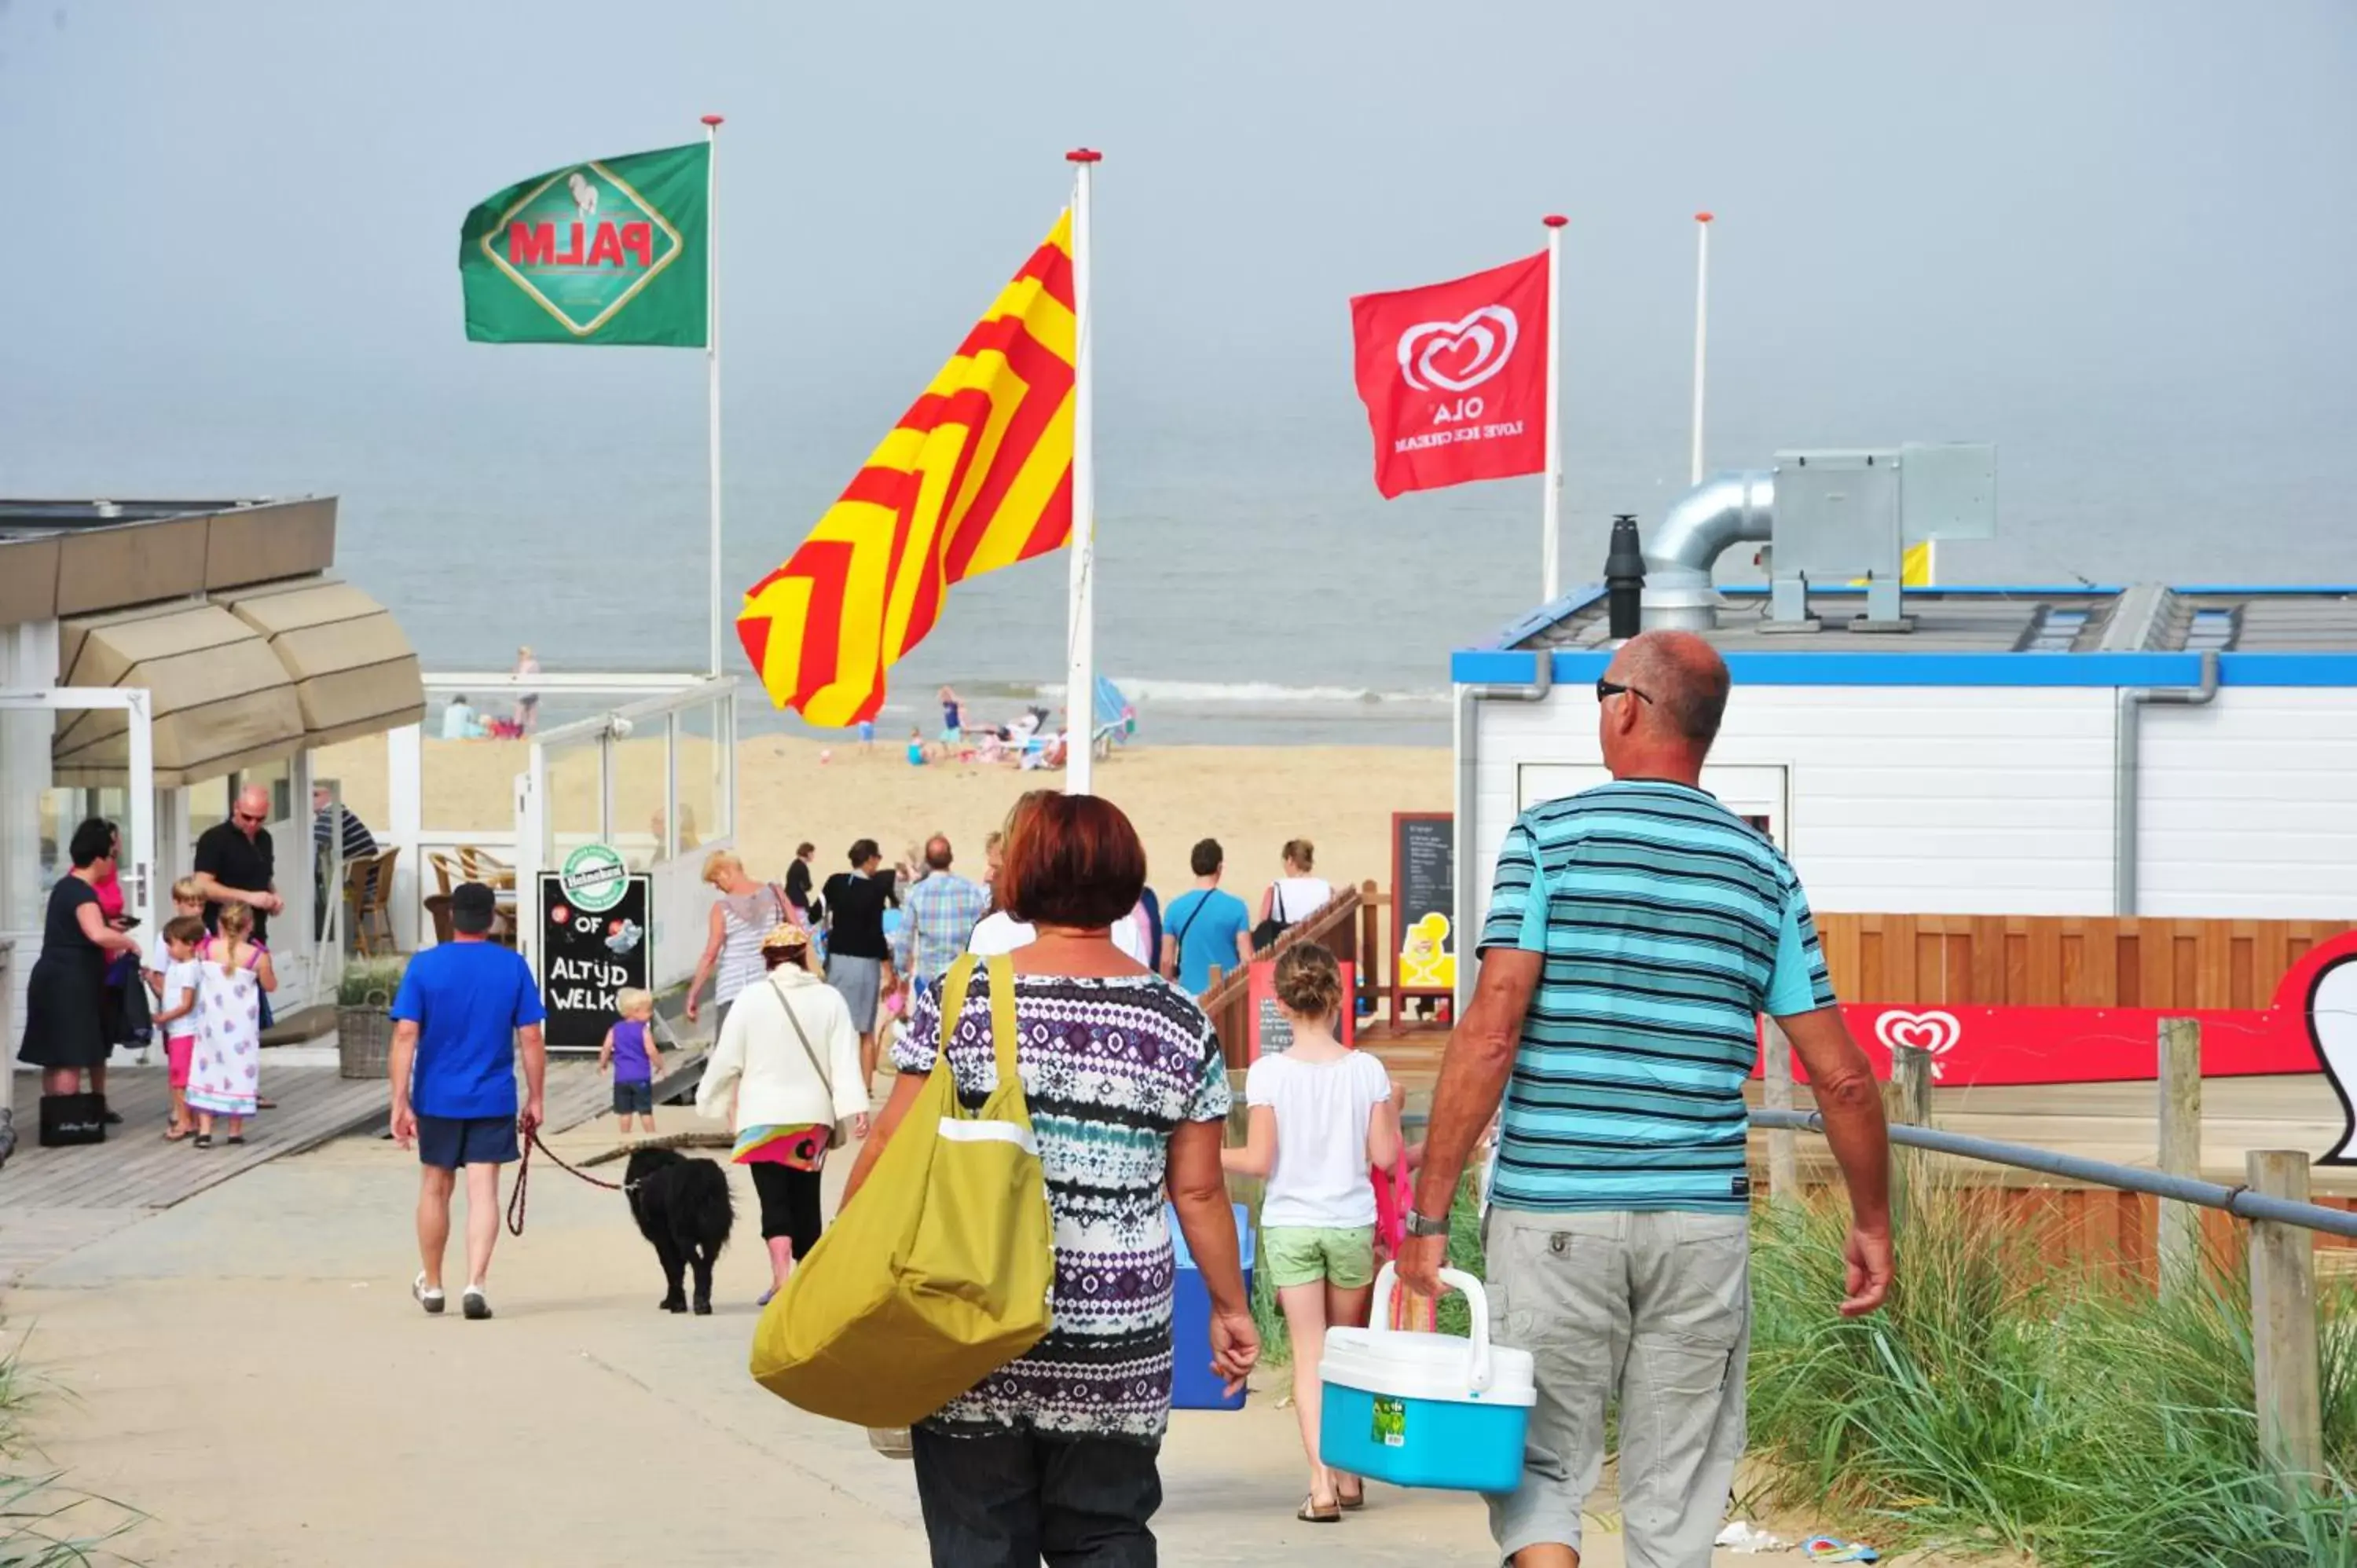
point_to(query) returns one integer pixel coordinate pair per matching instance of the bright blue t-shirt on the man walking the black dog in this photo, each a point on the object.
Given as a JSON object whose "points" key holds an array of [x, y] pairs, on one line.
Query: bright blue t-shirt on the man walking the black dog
{"points": [[468, 1001]]}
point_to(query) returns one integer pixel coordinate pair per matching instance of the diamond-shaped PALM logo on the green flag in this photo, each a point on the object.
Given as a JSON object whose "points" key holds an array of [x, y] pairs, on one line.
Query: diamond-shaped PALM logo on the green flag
{"points": [[583, 244]]}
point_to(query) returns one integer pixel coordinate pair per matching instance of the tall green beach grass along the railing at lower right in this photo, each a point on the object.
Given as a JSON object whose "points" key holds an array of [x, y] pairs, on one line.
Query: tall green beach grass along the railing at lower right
{"points": [[2019, 1406]]}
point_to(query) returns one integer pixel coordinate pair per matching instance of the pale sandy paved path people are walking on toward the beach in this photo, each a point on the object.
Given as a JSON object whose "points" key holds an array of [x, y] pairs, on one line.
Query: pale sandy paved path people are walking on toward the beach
{"points": [[251, 1371]]}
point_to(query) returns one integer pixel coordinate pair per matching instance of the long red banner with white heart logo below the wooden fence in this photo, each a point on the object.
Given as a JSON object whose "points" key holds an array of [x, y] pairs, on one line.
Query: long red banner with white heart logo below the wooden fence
{"points": [[2309, 1027]]}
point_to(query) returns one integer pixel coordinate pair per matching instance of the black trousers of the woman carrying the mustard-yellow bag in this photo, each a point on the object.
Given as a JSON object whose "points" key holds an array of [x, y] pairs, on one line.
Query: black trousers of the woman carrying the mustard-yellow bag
{"points": [[1015, 1501]]}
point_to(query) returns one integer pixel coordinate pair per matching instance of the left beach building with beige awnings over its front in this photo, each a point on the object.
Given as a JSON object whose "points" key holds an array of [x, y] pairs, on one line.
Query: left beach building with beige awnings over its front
{"points": [[154, 659]]}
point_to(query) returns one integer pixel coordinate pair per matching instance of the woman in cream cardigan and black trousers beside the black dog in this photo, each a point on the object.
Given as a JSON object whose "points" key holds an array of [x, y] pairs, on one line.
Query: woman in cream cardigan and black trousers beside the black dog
{"points": [[791, 1060]]}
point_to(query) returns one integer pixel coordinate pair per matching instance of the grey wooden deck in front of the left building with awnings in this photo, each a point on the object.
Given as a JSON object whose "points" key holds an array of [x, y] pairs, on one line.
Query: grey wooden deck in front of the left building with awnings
{"points": [[60, 1199]]}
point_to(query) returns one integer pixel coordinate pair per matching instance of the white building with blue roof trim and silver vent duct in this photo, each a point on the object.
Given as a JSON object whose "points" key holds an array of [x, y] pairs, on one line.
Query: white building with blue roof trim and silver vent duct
{"points": [[1969, 751]]}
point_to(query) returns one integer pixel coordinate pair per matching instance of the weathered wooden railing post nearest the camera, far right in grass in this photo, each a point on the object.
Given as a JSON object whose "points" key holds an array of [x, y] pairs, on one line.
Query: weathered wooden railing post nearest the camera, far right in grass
{"points": [[2285, 1324]]}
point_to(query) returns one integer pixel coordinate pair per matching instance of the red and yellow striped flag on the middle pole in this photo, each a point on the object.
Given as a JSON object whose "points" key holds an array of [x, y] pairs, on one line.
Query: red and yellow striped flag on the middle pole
{"points": [[977, 475]]}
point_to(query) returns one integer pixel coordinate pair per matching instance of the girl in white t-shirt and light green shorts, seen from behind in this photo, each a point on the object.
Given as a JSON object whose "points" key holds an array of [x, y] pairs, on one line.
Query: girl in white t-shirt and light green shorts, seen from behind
{"points": [[1321, 1119]]}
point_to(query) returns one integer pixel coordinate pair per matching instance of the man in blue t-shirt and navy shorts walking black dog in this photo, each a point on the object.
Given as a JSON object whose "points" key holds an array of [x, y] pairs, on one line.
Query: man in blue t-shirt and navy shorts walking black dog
{"points": [[463, 1010]]}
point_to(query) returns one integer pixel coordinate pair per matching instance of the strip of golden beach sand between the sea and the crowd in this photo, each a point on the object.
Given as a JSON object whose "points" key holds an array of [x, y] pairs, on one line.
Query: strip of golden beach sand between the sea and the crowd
{"points": [[1253, 801]]}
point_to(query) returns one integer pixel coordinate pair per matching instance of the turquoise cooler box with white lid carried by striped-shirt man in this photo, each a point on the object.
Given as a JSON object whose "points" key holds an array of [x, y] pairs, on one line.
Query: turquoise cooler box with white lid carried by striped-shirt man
{"points": [[1427, 1409]]}
